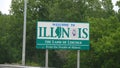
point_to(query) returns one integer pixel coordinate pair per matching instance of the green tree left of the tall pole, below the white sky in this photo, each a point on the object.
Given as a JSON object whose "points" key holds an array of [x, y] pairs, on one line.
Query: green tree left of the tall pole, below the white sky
{"points": [[9, 46]]}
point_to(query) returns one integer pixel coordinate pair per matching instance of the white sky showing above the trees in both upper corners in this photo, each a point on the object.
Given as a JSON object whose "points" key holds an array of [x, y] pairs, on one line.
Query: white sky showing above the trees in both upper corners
{"points": [[5, 6]]}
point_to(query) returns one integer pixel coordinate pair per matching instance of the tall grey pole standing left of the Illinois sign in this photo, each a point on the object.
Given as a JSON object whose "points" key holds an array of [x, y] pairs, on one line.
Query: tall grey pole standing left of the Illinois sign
{"points": [[24, 33]]}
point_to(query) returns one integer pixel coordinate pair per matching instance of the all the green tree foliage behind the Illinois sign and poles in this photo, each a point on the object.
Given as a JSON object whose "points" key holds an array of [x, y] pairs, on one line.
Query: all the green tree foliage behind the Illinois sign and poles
{"points": [[104, 32]]}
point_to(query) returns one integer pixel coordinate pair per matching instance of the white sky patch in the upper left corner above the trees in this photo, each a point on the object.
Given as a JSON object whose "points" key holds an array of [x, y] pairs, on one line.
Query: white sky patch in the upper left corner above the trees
{"points": [[5, 6]]}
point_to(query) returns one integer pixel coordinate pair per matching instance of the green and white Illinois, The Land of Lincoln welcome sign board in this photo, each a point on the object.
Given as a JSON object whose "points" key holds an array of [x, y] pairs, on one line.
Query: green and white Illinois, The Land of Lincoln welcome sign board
{"points": [[62, 35]]}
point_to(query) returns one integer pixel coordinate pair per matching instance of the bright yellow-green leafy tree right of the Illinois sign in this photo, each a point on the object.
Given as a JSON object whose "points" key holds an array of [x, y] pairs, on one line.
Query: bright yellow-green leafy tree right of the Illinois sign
{"points": [[104, 45]]}
